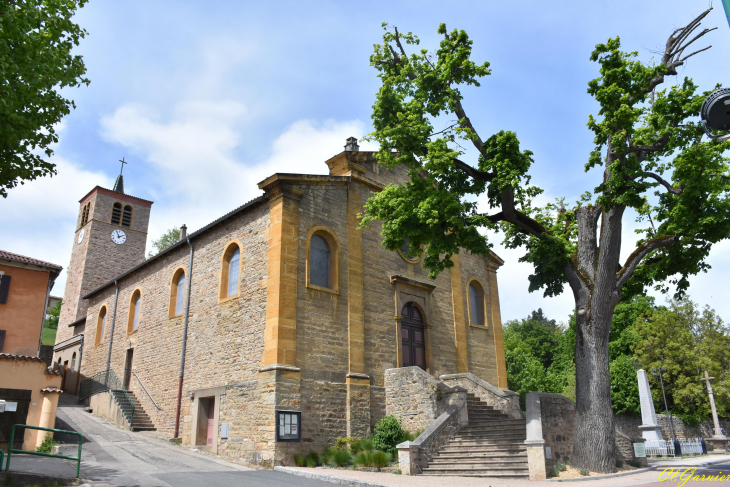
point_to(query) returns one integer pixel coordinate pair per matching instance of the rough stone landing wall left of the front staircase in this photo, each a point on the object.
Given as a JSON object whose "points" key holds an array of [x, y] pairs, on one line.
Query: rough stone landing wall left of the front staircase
{"points": [[417, 399]]}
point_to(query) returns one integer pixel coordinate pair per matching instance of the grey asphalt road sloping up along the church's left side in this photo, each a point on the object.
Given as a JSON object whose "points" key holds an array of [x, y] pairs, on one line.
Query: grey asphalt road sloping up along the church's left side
{"points": [[113, 456]]}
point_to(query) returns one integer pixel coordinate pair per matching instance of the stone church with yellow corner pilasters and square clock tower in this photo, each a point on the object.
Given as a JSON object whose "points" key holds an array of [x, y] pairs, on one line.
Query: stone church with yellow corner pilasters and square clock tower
{"points": [[268, 331]]}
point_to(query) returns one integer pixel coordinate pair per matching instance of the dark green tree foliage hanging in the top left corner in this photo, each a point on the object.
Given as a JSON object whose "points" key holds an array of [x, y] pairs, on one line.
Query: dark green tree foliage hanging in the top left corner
{"points": [[36, 40]]}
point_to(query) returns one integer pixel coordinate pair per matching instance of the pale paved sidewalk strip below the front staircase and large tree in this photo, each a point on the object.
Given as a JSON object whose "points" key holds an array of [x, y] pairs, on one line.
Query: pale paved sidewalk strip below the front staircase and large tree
{"points": [[648, 479]]}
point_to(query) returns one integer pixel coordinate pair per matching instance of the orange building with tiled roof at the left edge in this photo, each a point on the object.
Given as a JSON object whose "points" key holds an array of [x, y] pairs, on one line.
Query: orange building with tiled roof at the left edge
{"points": [[28, 388]]}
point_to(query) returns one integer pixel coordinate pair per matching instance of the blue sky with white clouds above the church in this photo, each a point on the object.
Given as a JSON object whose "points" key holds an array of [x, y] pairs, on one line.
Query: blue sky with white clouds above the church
{"points": [[205, 99]]}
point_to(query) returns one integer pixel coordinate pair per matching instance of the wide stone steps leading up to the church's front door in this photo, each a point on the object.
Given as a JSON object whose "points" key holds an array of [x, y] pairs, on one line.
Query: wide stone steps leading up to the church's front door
{"points": [[492, 445]]}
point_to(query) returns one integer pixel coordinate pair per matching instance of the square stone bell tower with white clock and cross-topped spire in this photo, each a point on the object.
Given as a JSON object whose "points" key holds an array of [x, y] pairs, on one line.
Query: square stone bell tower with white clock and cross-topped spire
{"points": [[110, 239]]}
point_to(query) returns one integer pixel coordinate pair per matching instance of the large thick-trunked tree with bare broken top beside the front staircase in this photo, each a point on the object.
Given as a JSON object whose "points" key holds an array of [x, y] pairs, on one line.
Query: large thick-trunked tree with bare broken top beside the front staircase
{"points": [[647, 140]]}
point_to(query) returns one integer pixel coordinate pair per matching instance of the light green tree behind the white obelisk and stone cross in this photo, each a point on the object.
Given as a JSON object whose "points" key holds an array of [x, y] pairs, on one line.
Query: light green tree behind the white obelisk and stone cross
{"points": [[686, 341]]}
